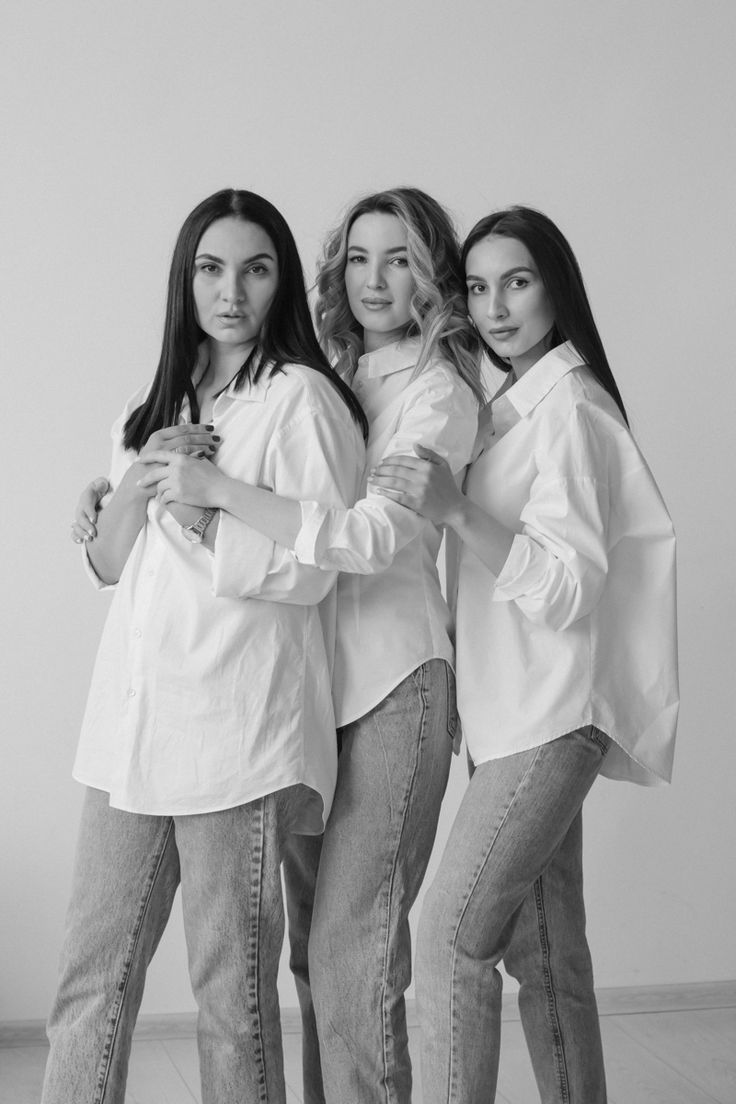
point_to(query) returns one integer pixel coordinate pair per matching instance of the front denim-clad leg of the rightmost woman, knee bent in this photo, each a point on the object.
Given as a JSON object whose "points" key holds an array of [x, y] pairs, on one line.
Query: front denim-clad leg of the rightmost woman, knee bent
{"points": [[514, 819]]}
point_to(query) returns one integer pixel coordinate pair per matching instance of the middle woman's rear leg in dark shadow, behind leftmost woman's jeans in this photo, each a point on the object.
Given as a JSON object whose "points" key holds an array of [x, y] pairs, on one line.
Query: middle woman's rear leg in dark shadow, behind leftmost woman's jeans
{"points": [[302, 855]]}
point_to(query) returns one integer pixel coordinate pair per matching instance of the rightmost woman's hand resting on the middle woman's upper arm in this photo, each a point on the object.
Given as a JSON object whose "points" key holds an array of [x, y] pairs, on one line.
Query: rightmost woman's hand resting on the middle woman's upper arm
{"points": [[423, 483]]}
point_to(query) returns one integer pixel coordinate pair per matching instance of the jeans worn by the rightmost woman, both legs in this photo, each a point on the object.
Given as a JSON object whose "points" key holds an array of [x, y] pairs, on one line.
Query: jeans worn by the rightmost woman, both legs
{"points": [[510, 887]]}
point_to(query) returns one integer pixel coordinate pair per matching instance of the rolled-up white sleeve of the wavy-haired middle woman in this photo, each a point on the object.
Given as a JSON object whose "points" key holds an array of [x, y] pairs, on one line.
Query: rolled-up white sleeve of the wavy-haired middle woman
{"points": [[442, 416]]}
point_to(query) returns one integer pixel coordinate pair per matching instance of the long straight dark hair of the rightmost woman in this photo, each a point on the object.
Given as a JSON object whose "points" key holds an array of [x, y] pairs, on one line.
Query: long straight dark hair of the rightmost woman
{"points": [[563, 282]]}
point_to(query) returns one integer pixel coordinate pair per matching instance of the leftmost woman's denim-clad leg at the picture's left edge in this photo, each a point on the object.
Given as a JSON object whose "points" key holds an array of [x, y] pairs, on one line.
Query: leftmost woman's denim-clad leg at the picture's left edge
{"points": [[125, 879]]}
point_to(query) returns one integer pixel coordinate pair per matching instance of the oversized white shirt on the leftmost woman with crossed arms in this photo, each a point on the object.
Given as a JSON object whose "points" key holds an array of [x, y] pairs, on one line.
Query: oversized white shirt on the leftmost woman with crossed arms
{"points": [[212, 682]]}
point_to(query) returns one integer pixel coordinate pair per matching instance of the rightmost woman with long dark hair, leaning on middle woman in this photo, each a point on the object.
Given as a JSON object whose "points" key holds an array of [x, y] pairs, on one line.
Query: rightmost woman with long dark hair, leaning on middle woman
{"points": [[567, 661]]}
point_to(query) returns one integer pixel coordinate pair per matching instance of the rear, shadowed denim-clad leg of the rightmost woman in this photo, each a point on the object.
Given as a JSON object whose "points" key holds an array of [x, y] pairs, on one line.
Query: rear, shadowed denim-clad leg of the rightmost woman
{"points": [[549, 956]]}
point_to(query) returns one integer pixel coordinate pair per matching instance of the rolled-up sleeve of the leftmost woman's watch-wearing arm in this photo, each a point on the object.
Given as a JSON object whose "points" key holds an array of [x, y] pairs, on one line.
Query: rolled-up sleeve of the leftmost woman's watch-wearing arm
{"points": [[314, 457]]}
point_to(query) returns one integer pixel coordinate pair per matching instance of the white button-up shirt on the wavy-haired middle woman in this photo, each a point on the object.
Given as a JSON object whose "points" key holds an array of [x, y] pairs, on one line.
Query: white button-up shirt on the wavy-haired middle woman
{"points": [[391, 614]]}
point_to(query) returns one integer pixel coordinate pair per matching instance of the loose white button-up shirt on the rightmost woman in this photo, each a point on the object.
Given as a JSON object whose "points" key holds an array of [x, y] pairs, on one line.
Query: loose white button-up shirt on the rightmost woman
{"points": [[580, 627]]}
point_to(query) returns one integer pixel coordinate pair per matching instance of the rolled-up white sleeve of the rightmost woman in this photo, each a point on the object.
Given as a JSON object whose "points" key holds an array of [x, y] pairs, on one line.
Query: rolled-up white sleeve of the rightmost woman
{"points": [[557, 569]]}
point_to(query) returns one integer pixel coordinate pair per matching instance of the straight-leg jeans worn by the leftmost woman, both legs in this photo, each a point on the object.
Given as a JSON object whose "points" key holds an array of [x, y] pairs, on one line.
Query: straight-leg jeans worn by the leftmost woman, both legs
{"points": [[129, 867]]}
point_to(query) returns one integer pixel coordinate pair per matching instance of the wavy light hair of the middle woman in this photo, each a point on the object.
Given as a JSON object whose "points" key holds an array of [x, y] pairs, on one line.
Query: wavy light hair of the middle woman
{"points": [[439, 307]]}
